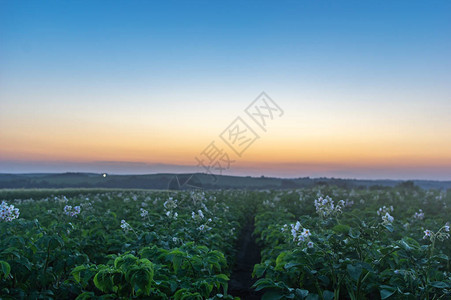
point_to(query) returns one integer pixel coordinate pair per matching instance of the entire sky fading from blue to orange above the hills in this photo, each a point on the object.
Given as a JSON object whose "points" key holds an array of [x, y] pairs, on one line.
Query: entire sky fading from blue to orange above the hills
{"points": [[363, 87]]}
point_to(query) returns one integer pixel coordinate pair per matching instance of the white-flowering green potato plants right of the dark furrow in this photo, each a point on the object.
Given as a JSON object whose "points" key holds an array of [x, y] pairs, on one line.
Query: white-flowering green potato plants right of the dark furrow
{"points": [[380, 244]]}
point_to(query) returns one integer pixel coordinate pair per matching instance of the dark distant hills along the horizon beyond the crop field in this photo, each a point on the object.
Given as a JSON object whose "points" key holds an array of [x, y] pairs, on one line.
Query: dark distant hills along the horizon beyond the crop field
{"points": [[188, 181]]}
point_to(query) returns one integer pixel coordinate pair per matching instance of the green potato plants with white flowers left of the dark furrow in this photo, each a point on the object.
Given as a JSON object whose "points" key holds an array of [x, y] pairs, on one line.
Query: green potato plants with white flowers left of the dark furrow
{"points": [[114, 245]]}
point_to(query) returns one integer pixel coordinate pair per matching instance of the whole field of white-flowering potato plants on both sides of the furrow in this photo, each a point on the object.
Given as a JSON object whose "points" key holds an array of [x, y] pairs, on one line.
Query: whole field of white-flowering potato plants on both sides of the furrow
{"points": [[316, 243]]}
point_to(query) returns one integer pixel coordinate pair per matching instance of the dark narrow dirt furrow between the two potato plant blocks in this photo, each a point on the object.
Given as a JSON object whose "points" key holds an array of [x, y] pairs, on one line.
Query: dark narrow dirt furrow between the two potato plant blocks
{"points": [[248, 255]]}
